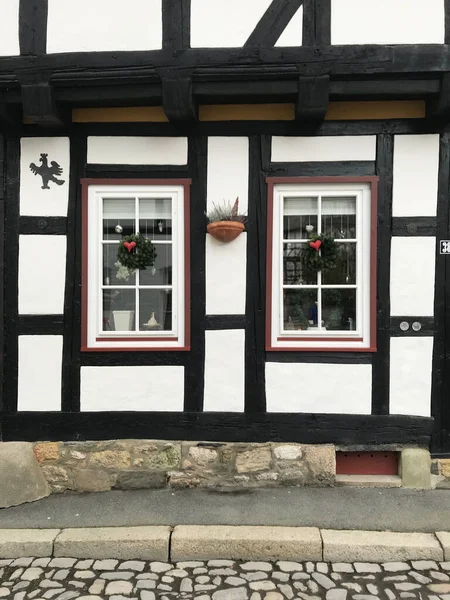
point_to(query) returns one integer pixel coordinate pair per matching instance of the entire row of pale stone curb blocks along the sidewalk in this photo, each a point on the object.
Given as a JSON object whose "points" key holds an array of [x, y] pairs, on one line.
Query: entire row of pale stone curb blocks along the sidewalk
{"points": [[253, 543]]}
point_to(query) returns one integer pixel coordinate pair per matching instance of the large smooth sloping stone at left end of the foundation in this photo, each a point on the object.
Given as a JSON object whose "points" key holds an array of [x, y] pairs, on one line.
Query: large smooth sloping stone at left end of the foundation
{"points": [[21, 478]]}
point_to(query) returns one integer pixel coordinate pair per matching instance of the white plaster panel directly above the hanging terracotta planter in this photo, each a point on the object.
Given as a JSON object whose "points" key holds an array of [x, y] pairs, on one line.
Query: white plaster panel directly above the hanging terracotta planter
{"points": [[228, 171]]}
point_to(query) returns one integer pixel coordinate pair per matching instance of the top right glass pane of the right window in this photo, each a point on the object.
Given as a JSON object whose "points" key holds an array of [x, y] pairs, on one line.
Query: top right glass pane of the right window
{"points": [[339, 217]]}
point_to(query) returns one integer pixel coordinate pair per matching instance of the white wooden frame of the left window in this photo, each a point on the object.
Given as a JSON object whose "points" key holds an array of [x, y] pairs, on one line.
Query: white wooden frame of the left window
{"points": [[96, 338]]}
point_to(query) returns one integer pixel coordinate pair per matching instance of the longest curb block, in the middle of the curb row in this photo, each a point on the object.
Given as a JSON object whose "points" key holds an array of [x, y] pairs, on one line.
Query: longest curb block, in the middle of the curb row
{"points": [[199, 542]]}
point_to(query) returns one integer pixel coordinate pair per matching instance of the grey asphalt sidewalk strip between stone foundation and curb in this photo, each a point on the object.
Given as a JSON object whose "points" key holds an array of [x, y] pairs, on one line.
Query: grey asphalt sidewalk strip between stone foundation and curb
{"points": [[327, 508]]}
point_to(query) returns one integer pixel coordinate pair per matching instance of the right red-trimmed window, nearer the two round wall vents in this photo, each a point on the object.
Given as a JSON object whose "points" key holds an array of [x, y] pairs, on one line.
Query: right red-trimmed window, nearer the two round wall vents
{"points": [[332, 309]]}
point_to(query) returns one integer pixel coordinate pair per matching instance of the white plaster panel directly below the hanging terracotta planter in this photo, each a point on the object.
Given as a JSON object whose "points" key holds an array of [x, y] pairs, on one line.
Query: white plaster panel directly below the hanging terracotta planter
{"points": [[226, 276]]}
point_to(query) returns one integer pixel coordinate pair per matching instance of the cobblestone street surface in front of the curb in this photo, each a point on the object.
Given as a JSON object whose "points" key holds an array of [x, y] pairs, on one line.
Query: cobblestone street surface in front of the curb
{"points": [[68, 578]]}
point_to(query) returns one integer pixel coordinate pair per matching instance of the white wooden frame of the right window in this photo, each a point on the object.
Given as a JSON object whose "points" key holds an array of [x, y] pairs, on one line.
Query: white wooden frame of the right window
{"points": [[356, 340]]}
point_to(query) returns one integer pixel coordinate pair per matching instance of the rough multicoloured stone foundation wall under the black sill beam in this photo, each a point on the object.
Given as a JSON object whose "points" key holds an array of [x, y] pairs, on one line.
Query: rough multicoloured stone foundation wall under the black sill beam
{"points": [[140, 464]]}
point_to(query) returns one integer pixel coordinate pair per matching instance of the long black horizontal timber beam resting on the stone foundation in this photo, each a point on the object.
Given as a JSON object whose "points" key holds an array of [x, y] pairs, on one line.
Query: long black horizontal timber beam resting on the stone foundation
{"points": [[221, 427]]}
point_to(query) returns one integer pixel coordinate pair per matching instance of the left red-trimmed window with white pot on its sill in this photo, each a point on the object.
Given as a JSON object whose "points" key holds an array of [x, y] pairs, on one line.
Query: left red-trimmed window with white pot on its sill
{"points": [[143, 308]]}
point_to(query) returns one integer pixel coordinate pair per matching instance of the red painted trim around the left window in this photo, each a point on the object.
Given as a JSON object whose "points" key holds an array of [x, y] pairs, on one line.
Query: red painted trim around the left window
{"points": [[85, 183]]}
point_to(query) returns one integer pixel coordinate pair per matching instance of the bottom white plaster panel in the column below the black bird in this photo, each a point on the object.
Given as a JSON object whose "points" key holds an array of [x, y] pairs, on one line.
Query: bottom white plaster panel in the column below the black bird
{"points": [[40, 363]]}
